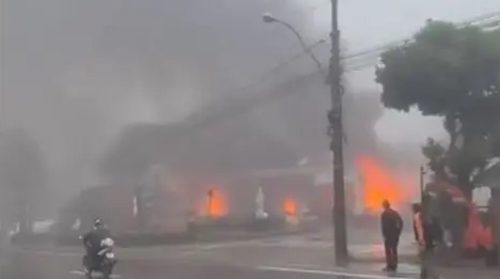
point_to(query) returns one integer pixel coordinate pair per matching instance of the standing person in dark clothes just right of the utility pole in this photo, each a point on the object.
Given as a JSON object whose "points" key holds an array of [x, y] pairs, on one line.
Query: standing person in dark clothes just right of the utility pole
{"points": [[392, 225]]}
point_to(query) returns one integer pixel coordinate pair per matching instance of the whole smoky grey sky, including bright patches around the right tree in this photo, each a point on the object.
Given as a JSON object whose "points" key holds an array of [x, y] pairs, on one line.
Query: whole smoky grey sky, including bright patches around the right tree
{"points": [[75, 71]]}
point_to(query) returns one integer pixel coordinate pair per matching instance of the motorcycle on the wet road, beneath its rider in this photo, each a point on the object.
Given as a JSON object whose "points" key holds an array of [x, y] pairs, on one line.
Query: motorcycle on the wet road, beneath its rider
{"points": [[104, 262]]}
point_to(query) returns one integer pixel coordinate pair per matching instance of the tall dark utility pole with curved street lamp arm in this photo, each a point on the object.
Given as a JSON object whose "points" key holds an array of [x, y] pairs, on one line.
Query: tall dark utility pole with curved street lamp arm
{"points": [[336, 145]]}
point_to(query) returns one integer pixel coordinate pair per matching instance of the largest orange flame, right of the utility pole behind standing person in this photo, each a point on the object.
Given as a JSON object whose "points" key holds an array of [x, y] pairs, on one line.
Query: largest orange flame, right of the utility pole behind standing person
{"points": [[379, 185]]}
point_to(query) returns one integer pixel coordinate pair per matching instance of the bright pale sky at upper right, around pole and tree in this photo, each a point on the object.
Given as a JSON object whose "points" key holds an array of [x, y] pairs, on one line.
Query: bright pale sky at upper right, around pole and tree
{"points": [[370, 23]]}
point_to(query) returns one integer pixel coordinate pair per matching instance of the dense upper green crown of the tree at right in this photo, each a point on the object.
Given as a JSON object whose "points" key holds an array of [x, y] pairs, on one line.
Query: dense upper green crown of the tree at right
{"points": [[444, 70]]}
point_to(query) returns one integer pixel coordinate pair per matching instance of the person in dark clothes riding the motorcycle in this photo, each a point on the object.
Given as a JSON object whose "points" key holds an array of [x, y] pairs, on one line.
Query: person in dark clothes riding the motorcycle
{"points": [[92, 242]]}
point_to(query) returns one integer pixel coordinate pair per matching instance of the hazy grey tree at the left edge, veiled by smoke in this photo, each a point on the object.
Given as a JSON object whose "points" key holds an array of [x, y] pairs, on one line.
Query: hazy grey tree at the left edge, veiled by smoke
{"points": [[23, 179]]}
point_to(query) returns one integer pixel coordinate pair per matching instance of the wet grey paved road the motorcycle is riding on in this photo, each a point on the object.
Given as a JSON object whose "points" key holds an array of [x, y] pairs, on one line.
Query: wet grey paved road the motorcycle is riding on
{"points": [[285, 257]]}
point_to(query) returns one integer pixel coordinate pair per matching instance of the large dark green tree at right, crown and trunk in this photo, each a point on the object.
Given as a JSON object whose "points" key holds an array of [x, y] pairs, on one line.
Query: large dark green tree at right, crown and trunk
{"points": [[454, 73]]}
